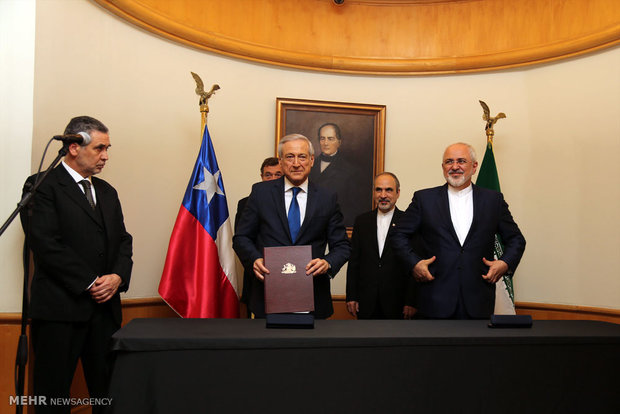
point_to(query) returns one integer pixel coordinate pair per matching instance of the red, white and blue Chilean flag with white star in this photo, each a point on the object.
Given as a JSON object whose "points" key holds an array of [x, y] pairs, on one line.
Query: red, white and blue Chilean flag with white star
{"points": [[199, 279]]}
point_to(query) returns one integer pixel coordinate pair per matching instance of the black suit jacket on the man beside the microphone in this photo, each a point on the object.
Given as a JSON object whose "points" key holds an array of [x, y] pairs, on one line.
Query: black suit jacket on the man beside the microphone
{"points": [[73, 244]]}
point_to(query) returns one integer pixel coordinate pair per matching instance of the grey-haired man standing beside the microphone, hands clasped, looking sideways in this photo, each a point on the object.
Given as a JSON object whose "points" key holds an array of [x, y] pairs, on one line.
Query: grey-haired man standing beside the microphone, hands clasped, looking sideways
{"points": [[82, 257]]}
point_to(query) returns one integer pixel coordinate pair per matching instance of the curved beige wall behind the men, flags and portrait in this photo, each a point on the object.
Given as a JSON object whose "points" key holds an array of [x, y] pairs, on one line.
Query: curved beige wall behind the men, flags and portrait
{"points": [[563, 122]]}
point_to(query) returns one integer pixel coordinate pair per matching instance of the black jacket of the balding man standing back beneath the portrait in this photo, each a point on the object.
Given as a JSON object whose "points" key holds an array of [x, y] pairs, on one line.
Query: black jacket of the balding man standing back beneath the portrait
{"points": [[377, 281]]}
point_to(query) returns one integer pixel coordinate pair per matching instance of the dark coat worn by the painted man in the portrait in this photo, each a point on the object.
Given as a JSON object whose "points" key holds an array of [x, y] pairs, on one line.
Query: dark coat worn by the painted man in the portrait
{"points": [[340, 177]]}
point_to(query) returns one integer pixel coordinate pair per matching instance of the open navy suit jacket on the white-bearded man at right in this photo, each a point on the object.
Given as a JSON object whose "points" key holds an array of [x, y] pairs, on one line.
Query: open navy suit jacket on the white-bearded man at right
{"points": [[457, 268]]}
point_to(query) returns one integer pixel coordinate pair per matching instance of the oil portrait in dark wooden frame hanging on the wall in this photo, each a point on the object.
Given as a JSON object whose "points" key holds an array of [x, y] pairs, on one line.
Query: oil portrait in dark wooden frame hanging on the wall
{"points": [[348, 141]]}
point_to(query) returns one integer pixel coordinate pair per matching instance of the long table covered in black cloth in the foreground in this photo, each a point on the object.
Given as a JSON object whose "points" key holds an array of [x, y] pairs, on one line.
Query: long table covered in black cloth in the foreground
{"points": [[239, 366]]}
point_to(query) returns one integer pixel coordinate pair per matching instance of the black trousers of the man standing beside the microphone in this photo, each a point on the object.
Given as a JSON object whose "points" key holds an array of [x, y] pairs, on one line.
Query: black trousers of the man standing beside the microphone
{"points": [[57, 347]]}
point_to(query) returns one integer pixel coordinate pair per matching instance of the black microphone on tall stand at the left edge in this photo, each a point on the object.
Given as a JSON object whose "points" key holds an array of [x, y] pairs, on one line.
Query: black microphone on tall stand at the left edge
{"points": [[22, 346]]}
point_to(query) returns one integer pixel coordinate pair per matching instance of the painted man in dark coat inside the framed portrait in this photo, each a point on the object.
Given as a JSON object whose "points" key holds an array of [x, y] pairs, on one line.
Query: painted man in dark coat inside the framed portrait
{"points": [[333, 171]]}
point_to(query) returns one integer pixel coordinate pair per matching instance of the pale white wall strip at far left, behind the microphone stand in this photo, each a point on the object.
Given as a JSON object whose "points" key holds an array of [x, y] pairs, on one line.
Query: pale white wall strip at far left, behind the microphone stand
{"points": [[17, 23]]}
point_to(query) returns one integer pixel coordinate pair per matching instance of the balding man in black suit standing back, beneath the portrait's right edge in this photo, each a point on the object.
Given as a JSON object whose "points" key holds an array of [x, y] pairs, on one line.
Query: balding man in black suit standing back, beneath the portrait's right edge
{"points": [[378, 285]]}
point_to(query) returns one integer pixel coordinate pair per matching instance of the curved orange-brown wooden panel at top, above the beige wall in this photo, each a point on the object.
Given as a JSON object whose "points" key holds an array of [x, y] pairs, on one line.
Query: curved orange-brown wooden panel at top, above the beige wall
{"points": [[383, 37]]}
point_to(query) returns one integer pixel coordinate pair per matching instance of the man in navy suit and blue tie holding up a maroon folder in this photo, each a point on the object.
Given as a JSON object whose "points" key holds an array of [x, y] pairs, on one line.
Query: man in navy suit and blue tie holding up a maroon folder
{"points": [[269, 219]]}
